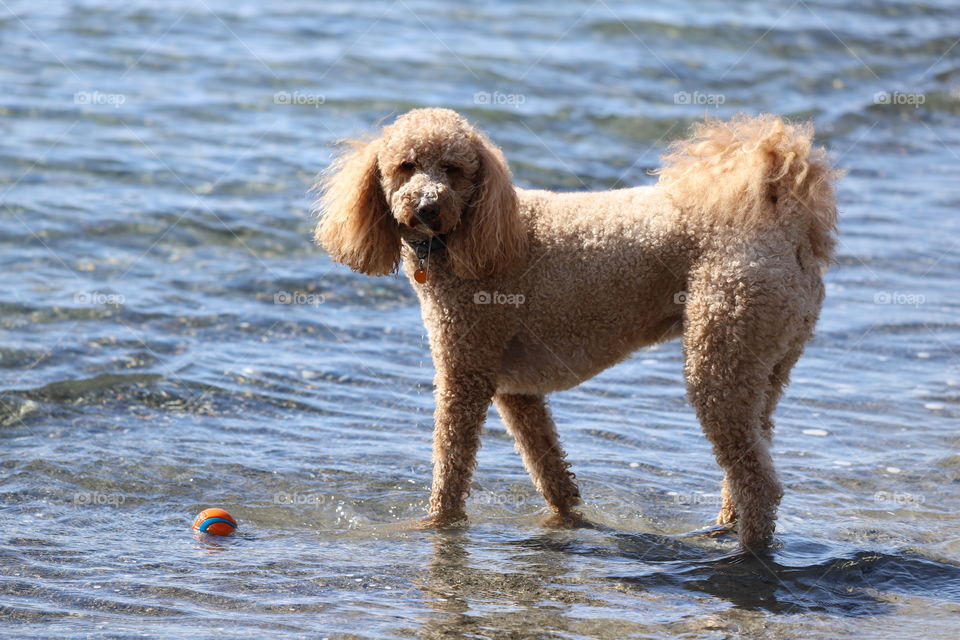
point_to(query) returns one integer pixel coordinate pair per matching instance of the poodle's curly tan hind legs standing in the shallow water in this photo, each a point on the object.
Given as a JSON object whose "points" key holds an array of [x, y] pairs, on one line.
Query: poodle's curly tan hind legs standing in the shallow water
{"points": [[734, 339]]}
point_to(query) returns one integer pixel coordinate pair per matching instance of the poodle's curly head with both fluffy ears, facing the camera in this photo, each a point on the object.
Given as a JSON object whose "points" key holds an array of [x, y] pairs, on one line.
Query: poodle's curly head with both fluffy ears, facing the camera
{"points": [[428, 174]]}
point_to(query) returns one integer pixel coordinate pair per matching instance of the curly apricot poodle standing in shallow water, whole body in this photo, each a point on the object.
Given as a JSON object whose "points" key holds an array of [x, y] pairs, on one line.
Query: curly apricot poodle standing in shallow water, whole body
{"points": [[525, 292]]}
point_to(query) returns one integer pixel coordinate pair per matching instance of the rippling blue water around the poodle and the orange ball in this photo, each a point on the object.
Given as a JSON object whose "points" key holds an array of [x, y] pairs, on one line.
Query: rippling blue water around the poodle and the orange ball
{"points": [[171, 339]]}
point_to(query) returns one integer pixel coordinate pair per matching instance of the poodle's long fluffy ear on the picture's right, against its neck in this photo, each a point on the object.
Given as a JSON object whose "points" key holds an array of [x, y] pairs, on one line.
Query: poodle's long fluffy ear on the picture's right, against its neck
{"points": [[489, 238]]}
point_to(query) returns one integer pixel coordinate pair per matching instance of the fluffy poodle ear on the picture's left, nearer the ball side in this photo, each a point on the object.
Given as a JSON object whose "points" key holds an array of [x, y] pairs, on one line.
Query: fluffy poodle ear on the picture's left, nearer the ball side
{"points": [[356, 226]]}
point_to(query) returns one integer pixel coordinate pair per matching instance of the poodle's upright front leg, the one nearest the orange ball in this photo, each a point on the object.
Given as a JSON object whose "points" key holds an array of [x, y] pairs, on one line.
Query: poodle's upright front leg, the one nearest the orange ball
{"points": [[463, 397]]}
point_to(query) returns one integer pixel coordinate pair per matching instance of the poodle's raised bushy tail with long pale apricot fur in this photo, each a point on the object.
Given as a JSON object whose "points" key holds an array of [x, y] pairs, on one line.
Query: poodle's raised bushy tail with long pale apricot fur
{"points": [[755, 171]]}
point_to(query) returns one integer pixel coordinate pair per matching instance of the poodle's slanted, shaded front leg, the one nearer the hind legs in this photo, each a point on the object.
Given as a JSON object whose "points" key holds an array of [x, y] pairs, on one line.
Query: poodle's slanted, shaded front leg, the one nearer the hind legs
{"points": [[528, 419]]}
